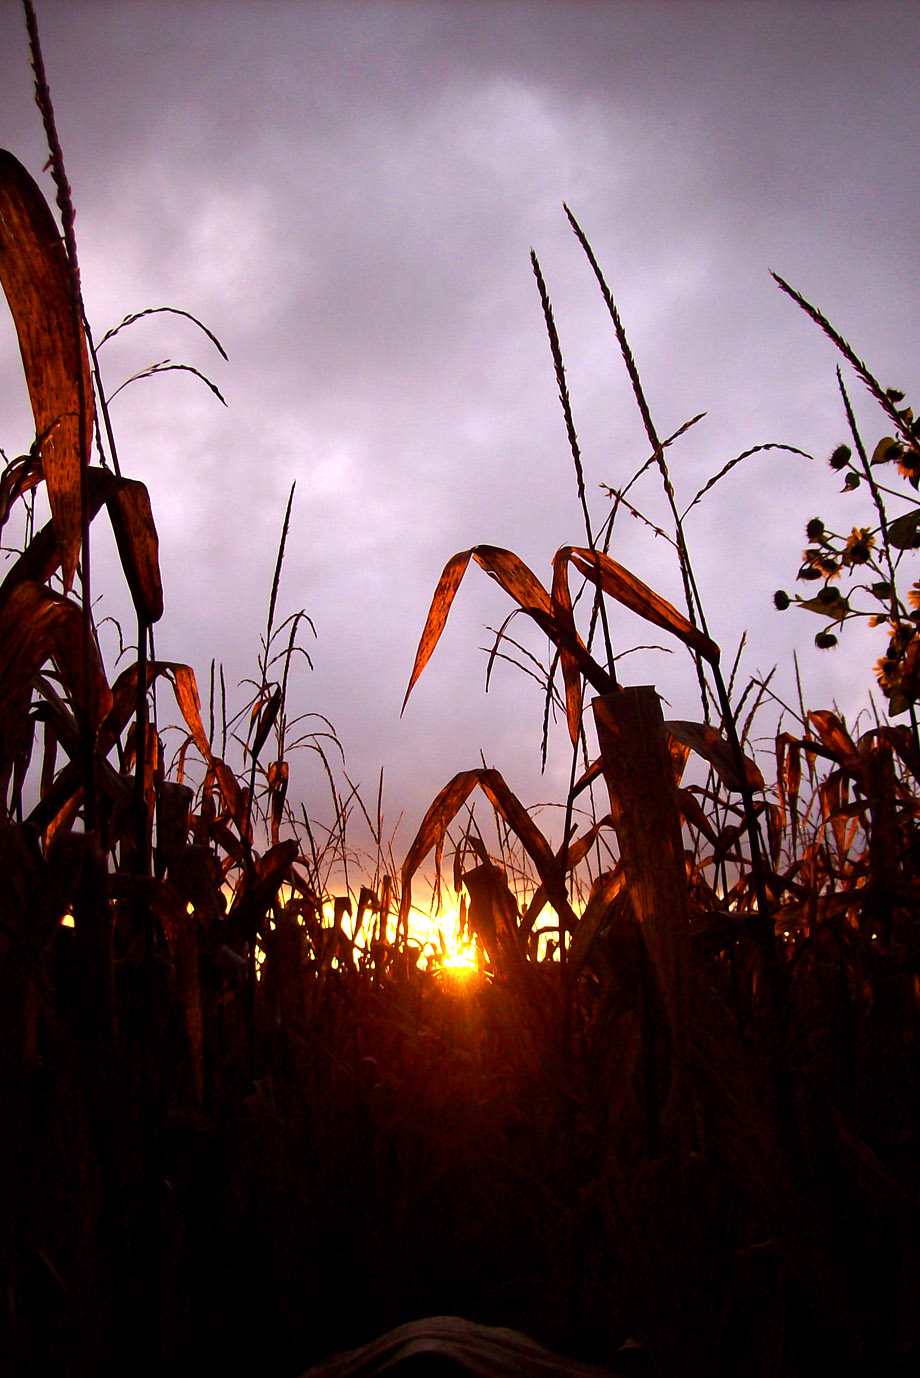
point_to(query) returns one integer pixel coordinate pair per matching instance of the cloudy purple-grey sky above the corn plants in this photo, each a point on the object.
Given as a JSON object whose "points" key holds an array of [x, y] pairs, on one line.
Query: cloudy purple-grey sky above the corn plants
{"points": [[348, 195]]}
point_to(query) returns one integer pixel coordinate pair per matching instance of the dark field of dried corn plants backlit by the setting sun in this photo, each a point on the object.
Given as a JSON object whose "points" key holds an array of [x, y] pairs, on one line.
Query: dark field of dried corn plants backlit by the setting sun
{"points": [[669, 1125]]}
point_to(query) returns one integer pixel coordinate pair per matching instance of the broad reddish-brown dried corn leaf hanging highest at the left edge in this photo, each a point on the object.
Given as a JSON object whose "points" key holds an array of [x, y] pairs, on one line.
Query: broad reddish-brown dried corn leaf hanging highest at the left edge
{"points": [[38, 282]]}
